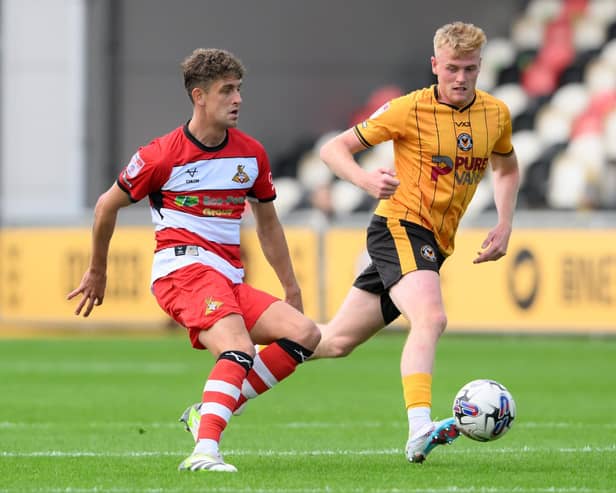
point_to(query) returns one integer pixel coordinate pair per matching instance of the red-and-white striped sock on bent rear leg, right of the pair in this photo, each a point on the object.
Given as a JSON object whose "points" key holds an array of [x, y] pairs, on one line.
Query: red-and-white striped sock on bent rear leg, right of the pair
{"points": [[272, 364]]}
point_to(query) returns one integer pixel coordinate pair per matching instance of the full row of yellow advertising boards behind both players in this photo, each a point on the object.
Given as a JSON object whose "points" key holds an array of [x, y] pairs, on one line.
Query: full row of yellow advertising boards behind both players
{"points": [[550, 280]]}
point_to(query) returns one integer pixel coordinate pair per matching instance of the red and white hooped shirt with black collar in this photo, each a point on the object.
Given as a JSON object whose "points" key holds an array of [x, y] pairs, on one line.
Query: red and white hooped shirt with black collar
{"points": [[197, 197]]}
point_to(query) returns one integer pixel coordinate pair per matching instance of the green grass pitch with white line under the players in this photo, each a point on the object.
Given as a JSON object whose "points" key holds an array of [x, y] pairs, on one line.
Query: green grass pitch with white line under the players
{"points": [[99, 414]]}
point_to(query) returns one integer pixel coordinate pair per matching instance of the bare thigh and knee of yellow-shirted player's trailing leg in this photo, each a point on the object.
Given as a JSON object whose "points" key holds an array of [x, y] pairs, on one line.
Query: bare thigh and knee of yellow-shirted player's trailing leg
{"points": [[357, 320]]}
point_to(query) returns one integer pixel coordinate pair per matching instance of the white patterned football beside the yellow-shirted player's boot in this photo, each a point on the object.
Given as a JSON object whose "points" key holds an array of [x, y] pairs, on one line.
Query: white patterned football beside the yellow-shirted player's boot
{"points": [[484, 410]]}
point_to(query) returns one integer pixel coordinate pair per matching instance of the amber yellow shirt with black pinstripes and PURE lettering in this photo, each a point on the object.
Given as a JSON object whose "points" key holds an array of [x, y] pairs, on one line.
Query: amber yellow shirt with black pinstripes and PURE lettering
{"points": [[441, 154]]}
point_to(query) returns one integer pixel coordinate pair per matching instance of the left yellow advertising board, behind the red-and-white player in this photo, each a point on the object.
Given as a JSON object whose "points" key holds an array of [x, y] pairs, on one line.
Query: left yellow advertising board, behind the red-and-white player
{"points": [[39, 267]]}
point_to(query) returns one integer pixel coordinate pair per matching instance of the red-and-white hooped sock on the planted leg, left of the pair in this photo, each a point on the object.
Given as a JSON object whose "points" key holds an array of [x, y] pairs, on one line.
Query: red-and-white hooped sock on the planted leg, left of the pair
{"points": [[220, 396]]}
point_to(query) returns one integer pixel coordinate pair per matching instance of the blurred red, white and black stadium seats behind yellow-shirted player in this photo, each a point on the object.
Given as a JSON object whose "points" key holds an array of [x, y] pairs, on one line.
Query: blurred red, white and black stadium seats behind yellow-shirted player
{"points": [[556, 70]]}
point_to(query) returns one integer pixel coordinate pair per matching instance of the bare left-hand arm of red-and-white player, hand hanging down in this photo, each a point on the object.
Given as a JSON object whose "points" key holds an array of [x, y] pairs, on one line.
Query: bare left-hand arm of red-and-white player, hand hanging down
{"points": [[94, 281]]}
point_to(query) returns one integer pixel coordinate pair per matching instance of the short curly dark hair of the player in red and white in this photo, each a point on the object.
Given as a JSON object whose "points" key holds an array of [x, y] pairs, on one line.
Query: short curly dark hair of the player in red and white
{"points": [[205, 65]]}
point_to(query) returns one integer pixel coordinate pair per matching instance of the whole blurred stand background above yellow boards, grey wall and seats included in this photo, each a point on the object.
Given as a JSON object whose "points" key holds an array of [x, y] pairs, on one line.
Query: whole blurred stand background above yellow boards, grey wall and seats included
{"points": [[111, 75]]}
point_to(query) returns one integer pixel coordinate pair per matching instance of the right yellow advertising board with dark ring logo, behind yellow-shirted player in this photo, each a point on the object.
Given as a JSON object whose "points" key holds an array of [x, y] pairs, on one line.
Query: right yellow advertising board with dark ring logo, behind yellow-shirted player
{"points": [[550, 280]]}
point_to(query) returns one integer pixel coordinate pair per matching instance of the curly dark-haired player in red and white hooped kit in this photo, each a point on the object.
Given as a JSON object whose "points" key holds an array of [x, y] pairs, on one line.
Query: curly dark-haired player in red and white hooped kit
{"points": [[198, 178]]}
